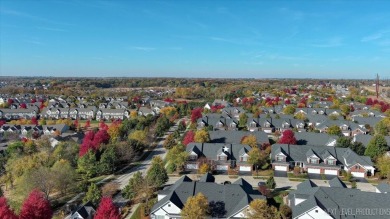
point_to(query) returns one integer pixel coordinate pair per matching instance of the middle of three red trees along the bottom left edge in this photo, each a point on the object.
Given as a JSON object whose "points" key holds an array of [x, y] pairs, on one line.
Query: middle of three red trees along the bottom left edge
{"points": [[36, 207]]}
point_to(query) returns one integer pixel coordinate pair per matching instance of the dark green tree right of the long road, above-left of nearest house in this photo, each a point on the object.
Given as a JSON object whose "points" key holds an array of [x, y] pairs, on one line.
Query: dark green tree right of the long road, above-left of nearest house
{"points": [[157, 174]]}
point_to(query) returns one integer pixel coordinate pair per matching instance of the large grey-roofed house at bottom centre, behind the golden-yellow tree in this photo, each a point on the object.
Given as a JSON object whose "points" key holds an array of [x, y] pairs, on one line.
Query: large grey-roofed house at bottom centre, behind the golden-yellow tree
{"points": [[225, 201]]}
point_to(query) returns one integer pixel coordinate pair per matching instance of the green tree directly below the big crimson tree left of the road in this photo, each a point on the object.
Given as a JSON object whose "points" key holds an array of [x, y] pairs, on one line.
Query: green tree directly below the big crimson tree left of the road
{"points": [[87, 165]]}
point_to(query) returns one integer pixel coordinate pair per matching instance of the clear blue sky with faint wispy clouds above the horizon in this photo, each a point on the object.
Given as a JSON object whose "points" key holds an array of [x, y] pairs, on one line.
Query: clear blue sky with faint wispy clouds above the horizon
{"points": [[235, 39]]}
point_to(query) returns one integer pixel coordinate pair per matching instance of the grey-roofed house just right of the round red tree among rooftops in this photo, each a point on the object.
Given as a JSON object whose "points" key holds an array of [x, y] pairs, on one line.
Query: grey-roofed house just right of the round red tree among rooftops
{"points": [[317, 139]]}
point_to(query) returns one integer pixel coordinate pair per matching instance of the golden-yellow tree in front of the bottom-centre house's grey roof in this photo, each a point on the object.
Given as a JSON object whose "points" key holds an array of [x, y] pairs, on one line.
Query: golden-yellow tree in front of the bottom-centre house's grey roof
{"points": [[195, 207]]}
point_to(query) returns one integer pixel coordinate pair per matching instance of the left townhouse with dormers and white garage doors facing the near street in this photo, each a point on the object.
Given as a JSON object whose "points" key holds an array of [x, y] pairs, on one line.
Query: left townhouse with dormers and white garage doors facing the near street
{"points": [[220, 156]]}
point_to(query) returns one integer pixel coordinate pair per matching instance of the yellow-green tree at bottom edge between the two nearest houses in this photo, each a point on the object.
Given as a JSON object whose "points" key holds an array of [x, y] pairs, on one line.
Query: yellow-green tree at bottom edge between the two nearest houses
{"points": [[258, 209]]}
